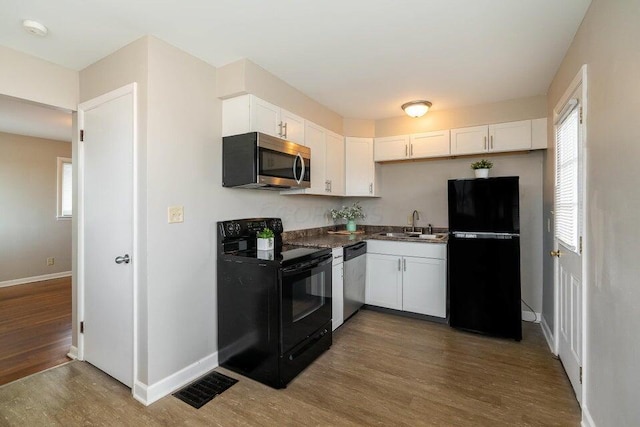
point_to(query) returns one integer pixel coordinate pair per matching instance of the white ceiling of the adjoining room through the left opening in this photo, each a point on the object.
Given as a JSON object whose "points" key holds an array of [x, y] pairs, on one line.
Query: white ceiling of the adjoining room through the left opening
{"points": [[26, 118]]}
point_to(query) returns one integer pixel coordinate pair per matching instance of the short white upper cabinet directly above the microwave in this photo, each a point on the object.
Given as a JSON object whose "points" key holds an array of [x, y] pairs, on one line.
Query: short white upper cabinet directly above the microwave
{"points": [[248, 113]]}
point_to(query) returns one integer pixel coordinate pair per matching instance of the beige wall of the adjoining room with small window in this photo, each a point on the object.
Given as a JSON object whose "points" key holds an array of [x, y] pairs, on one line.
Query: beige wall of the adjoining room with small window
{"points": [[29, 230]]}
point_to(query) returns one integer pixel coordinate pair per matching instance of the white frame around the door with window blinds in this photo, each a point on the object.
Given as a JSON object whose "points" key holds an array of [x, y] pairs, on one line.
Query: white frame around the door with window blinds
{"points": [[579, 79]]}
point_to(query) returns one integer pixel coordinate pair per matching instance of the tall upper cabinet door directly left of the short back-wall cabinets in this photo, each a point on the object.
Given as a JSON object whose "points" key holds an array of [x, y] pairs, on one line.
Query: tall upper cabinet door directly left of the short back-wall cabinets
{"points": [[359, 167]]}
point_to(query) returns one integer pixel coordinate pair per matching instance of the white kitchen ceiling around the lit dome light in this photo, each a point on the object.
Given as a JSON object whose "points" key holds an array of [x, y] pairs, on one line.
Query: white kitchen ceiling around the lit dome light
{"points": [[361, 58]]}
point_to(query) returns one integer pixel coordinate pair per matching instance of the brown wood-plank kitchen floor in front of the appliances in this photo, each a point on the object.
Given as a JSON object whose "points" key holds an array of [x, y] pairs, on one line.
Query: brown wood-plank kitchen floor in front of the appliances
{"points": [[382, 370]]}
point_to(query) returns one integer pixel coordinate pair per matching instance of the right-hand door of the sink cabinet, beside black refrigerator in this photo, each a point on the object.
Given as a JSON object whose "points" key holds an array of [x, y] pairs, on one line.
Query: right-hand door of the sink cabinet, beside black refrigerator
{"points": [[424, 286]]}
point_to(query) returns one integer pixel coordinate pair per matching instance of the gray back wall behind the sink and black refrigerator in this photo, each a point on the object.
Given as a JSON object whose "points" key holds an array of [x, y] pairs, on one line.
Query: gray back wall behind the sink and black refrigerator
{"points": [[422, 185]]}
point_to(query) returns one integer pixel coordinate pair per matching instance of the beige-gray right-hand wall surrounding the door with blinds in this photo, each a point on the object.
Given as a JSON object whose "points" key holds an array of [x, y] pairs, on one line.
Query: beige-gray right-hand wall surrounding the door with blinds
{"points": [[607, 41]]}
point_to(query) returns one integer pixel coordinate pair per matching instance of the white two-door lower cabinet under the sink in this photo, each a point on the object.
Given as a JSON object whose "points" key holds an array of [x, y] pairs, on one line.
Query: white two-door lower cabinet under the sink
{"points": [[407, 276]]}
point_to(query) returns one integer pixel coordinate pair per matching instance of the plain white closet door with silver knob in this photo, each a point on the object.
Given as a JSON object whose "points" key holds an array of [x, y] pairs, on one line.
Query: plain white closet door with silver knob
{"points": [[106, 230]]}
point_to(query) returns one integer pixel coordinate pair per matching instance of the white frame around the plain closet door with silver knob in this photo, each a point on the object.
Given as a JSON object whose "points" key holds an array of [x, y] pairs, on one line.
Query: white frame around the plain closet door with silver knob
{"points": [[132, 89]]}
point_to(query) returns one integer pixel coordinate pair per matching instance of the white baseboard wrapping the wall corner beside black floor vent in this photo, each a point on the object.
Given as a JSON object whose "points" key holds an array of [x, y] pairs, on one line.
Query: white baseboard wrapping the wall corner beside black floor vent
{"points": [[148, 394]]}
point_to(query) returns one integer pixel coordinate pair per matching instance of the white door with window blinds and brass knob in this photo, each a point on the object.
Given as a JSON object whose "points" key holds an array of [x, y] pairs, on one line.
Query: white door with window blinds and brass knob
{"points": [[568, 237]]}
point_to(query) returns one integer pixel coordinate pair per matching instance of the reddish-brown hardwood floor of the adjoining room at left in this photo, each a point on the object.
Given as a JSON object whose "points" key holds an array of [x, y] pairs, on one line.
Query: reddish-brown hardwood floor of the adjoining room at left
{"points": [[35, 327]]}
